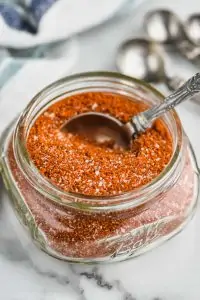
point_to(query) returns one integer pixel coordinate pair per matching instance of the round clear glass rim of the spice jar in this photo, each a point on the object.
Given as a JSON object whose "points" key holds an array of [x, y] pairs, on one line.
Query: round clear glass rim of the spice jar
{"points": [[43, 185]]}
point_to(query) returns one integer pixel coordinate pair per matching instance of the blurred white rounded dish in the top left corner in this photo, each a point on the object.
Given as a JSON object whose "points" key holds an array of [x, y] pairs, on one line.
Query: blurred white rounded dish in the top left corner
{"points": [[63, 19]]}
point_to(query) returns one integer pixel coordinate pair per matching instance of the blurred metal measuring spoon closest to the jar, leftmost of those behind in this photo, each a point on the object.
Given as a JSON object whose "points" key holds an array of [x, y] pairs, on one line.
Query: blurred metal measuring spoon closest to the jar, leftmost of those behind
{"points": [[140, 58]]}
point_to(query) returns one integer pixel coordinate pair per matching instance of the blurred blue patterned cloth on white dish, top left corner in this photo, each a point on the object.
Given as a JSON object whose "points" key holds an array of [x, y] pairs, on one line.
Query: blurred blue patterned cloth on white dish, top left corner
{"points": [[24, 14]]}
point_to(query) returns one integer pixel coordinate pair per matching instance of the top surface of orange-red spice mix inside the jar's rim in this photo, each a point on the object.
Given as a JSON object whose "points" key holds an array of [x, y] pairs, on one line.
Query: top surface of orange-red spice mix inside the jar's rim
{"points": [[76, 164]]}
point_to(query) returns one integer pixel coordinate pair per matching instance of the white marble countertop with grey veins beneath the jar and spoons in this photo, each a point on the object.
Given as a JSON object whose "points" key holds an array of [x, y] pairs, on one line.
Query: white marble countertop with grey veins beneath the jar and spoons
{"points": [[170, 272]]}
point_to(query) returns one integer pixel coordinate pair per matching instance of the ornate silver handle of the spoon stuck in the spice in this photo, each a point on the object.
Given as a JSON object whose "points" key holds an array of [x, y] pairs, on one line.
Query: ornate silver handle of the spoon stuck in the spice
{"points": [[144, 120]]}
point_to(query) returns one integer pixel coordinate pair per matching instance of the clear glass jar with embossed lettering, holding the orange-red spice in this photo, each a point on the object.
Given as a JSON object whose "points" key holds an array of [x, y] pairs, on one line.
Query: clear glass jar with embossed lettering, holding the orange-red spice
{"points": [[79, 228]]}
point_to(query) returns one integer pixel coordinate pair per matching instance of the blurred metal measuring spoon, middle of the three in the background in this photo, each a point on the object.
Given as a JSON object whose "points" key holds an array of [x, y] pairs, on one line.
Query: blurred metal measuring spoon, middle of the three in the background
{"points": [[164, 26]]}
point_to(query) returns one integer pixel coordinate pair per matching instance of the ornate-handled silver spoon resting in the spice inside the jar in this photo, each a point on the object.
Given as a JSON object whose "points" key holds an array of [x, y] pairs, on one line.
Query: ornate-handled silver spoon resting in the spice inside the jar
{"points": [[102, 127]]}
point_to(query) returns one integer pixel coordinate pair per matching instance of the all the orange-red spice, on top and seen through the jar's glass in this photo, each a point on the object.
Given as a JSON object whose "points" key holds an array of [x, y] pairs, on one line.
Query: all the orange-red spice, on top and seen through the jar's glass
{"points": [[75, 164]]}
